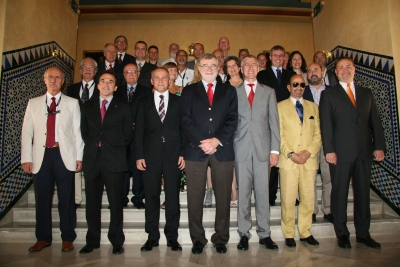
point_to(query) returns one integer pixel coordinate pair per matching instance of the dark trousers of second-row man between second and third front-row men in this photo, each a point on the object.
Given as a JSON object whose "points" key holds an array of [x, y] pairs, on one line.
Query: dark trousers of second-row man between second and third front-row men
{"points": [[137, 178]]}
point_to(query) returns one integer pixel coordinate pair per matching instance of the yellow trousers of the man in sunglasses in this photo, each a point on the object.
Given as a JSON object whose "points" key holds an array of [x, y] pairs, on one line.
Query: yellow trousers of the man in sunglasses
{"points": [[292, 182]]}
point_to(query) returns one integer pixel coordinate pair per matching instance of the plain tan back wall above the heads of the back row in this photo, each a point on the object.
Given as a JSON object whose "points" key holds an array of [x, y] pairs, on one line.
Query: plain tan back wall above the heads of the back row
{"points": [[253, 35]]}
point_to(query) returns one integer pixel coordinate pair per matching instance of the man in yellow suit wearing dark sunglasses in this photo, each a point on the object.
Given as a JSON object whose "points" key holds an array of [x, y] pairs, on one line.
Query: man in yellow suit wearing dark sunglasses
{"points": [[298, 161]]}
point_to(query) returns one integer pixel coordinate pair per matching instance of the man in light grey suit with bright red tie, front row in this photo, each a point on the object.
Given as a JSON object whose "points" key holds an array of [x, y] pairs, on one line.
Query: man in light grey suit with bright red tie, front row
{"points": [[256, 145]]}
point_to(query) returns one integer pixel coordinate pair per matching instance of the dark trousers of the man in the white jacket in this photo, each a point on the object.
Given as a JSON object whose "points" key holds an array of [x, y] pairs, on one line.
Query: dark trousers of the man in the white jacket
{"points": [[53, 171]]}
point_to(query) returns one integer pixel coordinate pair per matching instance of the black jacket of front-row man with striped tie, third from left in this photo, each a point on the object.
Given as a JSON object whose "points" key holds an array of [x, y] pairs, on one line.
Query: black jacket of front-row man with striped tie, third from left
{"points": [[149, 130]]}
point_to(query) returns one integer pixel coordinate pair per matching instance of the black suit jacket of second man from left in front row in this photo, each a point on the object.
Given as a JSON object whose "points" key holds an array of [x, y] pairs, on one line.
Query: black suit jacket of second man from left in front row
{"points": [[115, 134]]}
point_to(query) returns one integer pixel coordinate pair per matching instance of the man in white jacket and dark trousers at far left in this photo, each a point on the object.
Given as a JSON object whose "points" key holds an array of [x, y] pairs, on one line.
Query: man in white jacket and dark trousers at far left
{"points": [[51, 150]]}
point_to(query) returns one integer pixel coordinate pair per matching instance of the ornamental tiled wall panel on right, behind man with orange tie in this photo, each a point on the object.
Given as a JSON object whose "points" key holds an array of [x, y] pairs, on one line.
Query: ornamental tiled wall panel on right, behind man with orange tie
{"points": [[377, 73]]}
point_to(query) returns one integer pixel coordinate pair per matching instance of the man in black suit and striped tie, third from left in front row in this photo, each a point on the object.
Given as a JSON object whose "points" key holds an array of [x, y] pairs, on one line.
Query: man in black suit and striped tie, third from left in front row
{"points": [[158, 146]]}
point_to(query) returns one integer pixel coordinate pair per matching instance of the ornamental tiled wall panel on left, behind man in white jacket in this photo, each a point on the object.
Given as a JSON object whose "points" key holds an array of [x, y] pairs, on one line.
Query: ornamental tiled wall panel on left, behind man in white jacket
{"points": [[22, 79]]}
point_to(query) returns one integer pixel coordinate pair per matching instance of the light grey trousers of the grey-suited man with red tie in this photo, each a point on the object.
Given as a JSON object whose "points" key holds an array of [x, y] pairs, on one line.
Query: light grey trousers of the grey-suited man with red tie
{"points": [[250, 174]]}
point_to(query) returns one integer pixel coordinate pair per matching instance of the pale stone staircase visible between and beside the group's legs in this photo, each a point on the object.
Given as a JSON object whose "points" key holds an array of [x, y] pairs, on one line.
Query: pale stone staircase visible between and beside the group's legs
{"points": [[20, 225]]}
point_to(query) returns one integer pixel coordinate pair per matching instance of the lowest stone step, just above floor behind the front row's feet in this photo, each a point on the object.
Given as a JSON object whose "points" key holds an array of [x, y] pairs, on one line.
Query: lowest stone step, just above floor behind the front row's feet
{"points": [[24, 232]]}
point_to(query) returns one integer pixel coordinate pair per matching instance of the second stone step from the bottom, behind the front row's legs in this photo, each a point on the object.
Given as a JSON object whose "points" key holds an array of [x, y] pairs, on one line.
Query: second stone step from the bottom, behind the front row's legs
{"points": [[26, 213]]}
